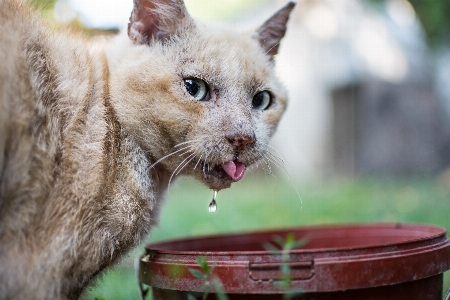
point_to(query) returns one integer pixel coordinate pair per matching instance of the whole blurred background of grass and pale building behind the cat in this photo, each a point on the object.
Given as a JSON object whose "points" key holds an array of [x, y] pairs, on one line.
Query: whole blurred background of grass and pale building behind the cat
{"points": [[366, 137]]}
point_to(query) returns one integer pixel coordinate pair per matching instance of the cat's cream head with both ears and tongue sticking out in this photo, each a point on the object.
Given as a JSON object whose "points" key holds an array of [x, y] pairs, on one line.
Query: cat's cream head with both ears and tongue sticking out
{"points": [[207, 95]]}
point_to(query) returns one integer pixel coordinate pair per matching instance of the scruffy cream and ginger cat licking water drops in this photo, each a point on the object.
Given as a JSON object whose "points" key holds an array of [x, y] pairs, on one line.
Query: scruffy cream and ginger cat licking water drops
{"points": [[91, 133]]}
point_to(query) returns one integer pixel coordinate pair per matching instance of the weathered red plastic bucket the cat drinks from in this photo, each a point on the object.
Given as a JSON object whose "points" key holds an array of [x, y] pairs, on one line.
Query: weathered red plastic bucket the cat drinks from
{"points": [[378, 261]]}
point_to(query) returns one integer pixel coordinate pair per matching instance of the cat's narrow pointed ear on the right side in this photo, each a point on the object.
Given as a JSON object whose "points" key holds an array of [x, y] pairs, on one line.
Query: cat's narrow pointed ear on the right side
{"points": [[274, 29]]}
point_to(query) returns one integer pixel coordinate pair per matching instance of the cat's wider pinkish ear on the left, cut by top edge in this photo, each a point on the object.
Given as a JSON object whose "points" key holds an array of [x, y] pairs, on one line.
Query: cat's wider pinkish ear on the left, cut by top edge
{"points": [[156, 19]]}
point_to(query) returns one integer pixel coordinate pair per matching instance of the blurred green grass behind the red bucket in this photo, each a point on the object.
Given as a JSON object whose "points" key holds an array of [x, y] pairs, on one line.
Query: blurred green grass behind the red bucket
{"points": [[262, 202]]}
